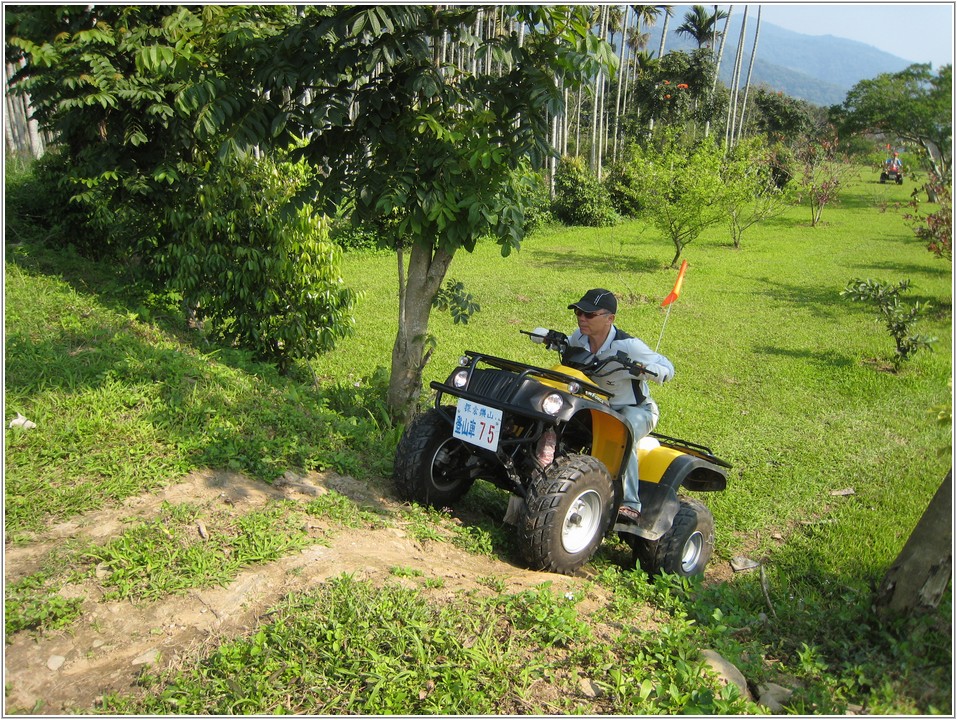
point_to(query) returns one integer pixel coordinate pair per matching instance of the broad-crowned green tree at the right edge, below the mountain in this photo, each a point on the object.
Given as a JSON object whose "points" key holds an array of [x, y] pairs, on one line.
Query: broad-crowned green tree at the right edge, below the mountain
{"points": [[915, 105]]}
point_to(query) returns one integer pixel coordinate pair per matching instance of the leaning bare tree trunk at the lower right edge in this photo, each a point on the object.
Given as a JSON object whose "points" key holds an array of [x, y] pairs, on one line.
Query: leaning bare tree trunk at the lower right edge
{"points": [[919, 576]]}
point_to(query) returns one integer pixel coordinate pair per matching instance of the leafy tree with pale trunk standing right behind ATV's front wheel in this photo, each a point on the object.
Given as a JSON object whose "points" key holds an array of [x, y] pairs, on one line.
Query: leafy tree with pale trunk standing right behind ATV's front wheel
{"points": [[425, 145]]}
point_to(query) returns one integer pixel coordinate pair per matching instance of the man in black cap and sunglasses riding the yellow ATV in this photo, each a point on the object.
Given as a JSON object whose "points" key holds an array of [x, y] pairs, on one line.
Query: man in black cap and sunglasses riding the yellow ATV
{"points": [[597, 334]]}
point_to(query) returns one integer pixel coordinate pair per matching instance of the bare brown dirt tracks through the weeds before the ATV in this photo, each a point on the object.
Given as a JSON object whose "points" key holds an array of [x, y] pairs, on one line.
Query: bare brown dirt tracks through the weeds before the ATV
{"points": [[106, 649]]}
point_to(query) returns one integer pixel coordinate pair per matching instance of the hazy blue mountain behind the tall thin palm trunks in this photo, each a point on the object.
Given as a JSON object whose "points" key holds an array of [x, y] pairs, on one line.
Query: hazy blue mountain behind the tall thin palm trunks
{"points": [[819, 69]]}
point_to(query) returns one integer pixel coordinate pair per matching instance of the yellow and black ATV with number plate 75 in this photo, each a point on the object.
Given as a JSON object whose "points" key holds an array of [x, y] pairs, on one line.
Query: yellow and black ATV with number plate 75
{"points": [[549, 437]]}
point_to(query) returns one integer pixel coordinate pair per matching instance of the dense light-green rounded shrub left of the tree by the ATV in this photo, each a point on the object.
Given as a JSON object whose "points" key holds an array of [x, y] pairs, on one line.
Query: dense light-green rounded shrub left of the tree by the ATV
{"points": [[256, 264]]}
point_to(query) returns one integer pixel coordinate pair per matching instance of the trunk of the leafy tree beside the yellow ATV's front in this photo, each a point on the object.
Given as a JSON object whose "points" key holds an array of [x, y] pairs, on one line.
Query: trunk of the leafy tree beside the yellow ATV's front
{"points": [[417, 290]]}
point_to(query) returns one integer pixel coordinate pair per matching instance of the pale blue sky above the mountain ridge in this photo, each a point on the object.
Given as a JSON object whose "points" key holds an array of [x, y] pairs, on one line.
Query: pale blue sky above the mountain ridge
{"points": [[919, 32]]}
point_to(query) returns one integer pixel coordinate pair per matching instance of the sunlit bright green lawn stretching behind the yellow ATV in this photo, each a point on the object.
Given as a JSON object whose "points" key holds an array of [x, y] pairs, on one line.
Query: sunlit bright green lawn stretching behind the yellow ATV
{"points": [[774, 369]]}
